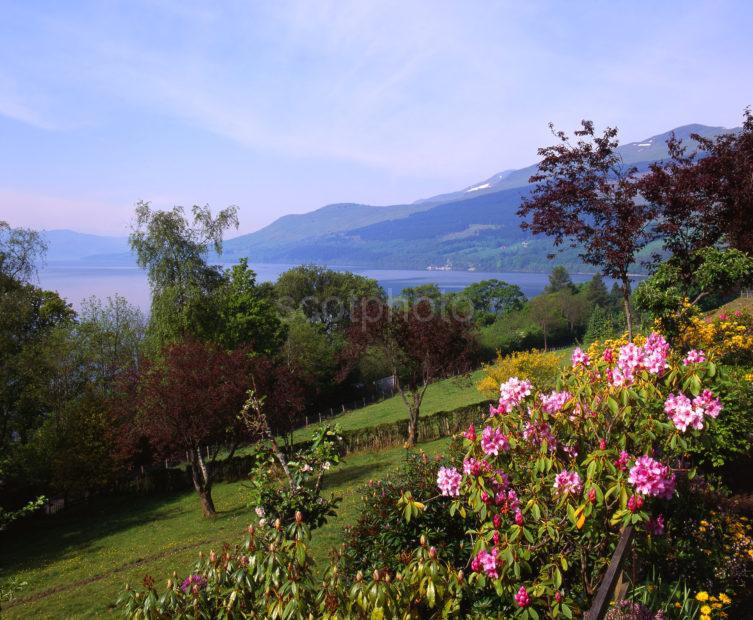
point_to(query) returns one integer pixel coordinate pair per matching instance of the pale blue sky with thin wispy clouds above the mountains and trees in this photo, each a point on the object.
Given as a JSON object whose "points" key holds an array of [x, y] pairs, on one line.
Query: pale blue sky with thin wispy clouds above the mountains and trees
{"points": [[282, 107]]}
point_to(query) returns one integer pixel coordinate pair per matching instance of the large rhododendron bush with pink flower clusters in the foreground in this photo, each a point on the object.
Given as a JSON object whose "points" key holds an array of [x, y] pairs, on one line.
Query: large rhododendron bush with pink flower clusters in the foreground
{"points": [[550, 478]]}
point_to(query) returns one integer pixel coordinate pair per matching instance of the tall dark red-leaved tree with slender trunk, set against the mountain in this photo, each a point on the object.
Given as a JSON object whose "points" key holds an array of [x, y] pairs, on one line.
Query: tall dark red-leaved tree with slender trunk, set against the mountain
{"points": [[586, 196]]}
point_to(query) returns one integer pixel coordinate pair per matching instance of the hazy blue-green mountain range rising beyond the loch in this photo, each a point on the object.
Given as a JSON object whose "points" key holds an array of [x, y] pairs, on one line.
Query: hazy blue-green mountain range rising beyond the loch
{"points": [[476, 227]]}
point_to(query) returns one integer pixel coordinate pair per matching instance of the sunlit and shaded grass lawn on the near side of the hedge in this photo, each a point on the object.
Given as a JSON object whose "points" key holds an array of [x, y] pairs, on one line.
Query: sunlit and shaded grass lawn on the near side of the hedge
{"points": [[76, 564]]}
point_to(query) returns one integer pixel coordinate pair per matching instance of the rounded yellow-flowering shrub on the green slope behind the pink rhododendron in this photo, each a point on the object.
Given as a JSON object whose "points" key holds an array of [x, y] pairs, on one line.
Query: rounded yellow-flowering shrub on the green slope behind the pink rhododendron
{"points": [[539, 367]]}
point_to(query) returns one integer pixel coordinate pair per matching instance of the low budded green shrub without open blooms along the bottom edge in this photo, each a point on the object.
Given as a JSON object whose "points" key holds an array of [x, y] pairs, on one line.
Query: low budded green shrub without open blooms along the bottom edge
{"points": [[271, 576]]}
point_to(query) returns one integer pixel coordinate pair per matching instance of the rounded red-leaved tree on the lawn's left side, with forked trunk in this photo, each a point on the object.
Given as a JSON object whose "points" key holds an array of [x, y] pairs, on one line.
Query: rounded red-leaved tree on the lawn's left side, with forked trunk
{"points": [[188, 403]]}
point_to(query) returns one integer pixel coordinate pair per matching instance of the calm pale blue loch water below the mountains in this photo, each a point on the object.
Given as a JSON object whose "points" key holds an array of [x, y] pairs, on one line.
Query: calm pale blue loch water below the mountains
{"points": [[77, 281]]}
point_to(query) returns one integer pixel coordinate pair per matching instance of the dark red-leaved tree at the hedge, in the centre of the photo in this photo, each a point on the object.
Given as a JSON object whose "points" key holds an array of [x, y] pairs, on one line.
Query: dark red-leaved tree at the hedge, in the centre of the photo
{"points": [[420, 344]]}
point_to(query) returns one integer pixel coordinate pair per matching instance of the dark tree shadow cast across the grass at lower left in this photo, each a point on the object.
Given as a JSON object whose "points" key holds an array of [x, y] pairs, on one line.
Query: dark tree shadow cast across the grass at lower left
{"points": [[76, 531]]}
